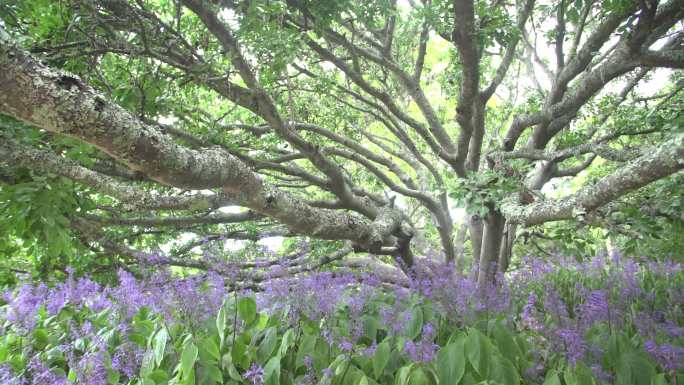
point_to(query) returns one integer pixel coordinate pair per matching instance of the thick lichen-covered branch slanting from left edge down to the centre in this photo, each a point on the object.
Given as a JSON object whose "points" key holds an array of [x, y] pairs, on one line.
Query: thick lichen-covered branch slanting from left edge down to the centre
{"points": [[61, 103]]}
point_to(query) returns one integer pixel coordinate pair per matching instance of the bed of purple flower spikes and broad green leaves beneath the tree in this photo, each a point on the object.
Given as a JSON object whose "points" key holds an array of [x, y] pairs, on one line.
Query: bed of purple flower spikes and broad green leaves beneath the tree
{"points": [[604, 321]]}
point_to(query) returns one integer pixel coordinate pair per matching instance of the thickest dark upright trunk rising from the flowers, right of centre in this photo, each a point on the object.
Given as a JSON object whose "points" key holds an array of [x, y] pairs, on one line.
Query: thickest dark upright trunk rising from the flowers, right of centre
{"points": [[491, 244]]}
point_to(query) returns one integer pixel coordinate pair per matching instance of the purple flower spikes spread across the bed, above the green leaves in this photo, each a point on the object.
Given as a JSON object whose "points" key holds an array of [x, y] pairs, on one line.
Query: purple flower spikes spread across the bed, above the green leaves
{"points": [[557, 304]]}
